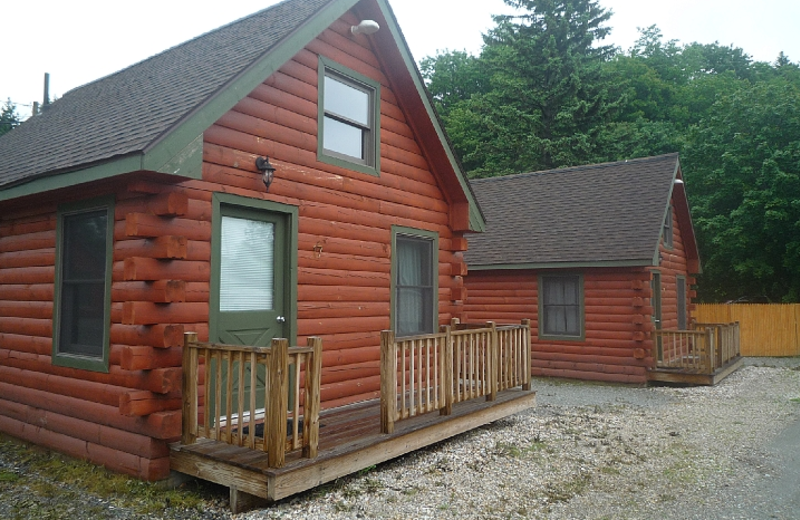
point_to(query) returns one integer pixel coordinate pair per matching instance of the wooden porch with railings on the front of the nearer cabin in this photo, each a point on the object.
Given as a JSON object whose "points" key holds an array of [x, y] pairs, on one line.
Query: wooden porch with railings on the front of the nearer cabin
{"points": [[265, 446]]}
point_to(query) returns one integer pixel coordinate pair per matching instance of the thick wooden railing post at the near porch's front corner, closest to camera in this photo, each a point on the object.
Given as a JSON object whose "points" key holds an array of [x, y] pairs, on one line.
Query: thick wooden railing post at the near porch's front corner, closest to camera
{"points": [[279, 402]]}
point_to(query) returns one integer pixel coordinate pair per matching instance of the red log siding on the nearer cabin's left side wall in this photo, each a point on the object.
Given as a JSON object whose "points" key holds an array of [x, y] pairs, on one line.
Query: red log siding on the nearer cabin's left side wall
{"points": [[78, 411]]}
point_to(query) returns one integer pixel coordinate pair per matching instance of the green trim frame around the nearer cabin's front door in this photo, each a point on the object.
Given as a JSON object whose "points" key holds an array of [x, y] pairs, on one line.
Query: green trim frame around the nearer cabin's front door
{"points": [[290, 216]]}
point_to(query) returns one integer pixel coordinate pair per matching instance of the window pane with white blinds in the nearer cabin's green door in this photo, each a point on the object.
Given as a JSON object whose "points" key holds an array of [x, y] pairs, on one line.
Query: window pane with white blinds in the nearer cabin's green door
{"points": [[246, 265]]}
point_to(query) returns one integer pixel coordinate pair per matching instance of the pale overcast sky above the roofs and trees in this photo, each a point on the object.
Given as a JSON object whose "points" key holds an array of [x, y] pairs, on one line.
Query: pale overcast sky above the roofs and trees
{"points": [[77, 41]]}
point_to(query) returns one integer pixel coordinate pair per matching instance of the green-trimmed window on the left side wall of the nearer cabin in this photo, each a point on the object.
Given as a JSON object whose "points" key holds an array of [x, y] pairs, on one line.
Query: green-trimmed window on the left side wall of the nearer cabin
{"points": [[83, 285]]}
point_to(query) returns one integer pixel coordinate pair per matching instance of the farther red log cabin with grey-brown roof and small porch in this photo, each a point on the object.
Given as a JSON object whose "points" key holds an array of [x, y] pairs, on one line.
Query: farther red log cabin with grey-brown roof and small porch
{"points": [[601, 258]]}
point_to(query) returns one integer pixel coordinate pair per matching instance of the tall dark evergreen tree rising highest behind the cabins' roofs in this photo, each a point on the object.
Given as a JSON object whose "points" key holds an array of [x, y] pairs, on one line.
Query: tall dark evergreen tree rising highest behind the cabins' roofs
{"points": [[543, 96]]}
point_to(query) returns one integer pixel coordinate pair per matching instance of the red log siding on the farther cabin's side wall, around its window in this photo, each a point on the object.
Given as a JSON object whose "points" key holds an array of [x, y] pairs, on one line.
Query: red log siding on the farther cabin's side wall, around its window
{"points": [[617, 322]]}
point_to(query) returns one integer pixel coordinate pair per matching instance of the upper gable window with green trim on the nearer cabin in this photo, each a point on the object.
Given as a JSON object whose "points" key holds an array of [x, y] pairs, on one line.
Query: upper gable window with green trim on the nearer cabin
{"points": [[348, 119]]}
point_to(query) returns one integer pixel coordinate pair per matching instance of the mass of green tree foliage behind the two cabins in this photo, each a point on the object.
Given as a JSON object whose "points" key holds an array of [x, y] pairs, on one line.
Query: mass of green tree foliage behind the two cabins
{"points": [[544, 93]]}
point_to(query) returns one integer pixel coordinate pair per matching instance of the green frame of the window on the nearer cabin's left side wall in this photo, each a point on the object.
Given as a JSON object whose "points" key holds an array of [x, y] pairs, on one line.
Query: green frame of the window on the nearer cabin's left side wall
{"points": [[68, 359]]}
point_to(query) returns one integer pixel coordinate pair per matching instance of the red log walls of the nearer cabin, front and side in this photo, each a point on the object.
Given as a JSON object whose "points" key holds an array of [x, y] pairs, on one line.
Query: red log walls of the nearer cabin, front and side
{"points": [[161, 270]]}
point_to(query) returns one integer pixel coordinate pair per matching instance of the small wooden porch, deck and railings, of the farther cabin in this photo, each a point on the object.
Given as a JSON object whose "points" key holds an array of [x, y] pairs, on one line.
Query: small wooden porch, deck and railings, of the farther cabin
{"points": [[705, 355]]}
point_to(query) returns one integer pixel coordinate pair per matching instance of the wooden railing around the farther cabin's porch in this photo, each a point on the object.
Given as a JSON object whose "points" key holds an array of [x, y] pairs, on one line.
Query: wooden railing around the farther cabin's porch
{"points": [[705, 349]]}
